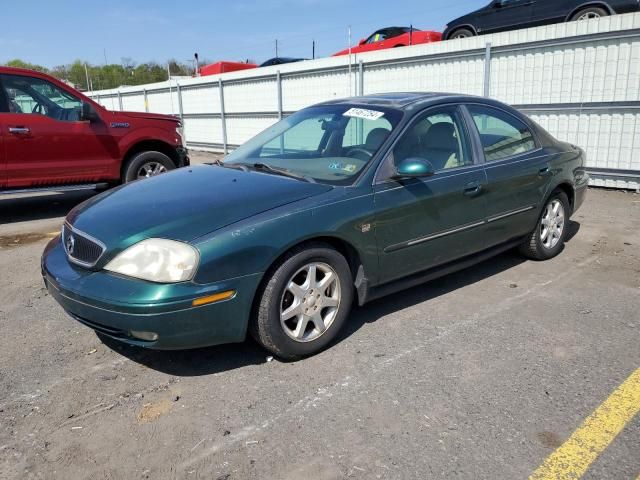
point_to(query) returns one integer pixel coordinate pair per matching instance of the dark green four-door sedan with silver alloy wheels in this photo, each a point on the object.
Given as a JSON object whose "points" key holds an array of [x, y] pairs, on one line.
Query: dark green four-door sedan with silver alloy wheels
{"points": [[342, 202]]}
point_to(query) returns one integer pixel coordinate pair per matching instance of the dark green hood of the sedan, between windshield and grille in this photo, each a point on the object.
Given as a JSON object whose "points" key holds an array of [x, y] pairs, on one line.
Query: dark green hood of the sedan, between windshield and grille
{"points": [[184, 204]]}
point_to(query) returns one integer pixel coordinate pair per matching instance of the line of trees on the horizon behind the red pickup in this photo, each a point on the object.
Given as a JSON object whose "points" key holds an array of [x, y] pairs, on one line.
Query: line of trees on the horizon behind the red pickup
{"points": [[85, 76]]}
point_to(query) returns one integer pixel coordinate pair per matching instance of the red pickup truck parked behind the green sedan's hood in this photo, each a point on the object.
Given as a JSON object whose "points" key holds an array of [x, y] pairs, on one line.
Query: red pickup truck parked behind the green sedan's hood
{"points": [[54, 138]]}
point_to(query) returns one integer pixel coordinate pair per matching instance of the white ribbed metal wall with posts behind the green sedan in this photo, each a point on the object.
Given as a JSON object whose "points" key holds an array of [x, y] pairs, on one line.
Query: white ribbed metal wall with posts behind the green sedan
{"points": [[580, 80]]}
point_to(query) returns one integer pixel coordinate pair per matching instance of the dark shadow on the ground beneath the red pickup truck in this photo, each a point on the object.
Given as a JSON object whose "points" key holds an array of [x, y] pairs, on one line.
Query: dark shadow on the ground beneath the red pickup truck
{"points": [[23, 208]]}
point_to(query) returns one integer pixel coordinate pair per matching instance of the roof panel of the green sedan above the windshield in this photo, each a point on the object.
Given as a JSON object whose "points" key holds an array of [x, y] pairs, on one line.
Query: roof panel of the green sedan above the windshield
{"points": [[405, 100]]}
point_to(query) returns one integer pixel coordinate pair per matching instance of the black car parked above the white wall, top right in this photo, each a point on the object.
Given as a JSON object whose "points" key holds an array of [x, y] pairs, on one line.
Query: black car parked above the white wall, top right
{"points": [[501, 15]]}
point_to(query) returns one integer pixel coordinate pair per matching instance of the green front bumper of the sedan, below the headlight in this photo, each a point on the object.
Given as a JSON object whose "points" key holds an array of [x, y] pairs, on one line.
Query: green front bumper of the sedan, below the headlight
{"points": [[116, 306]]}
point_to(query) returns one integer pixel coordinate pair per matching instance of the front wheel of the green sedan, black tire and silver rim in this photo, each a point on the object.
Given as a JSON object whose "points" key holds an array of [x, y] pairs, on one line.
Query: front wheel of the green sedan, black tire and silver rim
{"points": [[304, 303]]}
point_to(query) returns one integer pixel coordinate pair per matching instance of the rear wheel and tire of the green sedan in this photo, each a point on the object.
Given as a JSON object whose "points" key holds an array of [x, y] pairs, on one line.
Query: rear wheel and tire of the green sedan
{"points": [[547, 240]]}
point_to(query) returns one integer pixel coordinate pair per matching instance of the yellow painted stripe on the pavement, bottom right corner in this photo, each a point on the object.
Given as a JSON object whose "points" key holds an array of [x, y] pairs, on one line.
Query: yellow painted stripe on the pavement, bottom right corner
{"points": [[573, 458]]}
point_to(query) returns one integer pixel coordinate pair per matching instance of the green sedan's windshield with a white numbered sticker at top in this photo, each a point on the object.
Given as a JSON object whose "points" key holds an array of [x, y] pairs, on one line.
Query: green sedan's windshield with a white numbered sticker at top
{"points": [[330, 144]]}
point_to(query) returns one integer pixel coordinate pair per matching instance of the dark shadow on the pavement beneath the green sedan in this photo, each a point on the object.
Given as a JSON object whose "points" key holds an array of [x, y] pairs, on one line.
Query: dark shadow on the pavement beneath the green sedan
{"points": [[211, 360]]}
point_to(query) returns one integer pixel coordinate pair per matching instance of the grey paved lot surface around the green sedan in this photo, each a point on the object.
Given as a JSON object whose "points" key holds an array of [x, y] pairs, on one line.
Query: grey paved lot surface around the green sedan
{"points": [[479, 375]]}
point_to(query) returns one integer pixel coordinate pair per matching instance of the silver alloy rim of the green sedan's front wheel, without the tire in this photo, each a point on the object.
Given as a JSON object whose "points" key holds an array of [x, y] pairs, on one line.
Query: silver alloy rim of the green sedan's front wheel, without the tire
{"points": [[310, 302]]}
